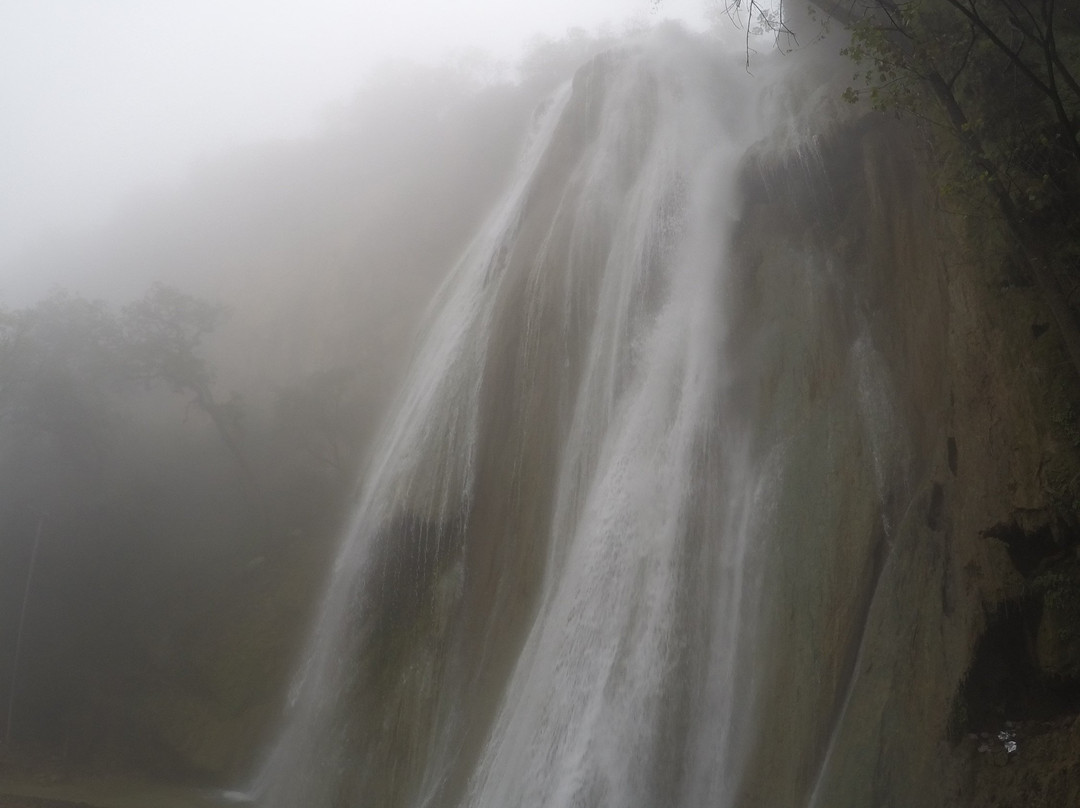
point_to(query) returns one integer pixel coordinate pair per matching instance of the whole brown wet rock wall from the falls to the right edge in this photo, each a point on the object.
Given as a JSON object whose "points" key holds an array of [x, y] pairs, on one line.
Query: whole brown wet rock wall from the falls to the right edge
{"points": [[968, 624]]}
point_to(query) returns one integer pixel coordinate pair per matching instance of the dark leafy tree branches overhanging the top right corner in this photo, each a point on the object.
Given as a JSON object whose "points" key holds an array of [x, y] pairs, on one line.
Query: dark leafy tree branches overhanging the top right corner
{"points": [[996, 82]]}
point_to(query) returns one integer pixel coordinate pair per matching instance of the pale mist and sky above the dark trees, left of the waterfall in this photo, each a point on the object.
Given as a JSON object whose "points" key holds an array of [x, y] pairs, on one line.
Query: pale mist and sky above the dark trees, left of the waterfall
{"points": [[316, 172]]}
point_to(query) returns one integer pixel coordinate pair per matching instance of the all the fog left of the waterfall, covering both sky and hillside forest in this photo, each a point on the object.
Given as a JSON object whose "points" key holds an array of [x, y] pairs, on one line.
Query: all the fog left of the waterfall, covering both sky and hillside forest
{"points": [[221, 228]]}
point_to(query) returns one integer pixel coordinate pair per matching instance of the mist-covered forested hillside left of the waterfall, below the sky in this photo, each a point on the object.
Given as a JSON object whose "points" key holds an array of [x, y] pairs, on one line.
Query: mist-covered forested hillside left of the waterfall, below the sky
{"points": [[183, 421]]}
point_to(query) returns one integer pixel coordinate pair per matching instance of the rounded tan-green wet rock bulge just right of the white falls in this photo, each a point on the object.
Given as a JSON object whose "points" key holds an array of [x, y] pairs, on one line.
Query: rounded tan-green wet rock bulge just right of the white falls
{"points": [[873, 516]]}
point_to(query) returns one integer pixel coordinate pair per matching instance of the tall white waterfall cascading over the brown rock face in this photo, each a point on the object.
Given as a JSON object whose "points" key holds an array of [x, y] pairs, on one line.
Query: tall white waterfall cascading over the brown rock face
{"points": [[564, 580]]}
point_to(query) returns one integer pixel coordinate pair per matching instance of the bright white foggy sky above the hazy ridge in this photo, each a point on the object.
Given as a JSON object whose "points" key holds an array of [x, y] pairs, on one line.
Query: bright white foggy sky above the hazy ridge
{"points": [[102, 98]]}
